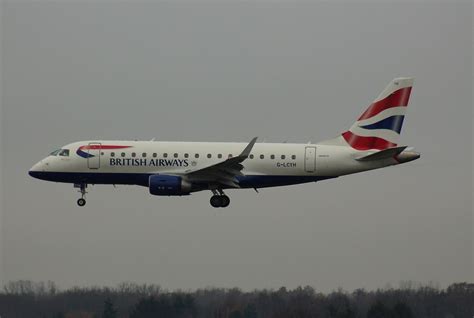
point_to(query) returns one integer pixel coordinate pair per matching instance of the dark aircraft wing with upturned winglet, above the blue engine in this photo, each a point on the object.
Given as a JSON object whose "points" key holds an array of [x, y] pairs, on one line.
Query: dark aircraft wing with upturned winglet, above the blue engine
{"points": [[223, 173]]}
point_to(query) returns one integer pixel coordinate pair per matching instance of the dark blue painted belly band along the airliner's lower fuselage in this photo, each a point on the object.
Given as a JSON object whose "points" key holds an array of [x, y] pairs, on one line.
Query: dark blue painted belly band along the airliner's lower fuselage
{"points": [[248, 181]]}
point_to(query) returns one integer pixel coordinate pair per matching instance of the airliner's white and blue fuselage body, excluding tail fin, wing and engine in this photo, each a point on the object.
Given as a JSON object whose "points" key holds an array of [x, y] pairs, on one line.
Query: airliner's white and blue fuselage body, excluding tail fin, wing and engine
{"points": [[293, 163]]}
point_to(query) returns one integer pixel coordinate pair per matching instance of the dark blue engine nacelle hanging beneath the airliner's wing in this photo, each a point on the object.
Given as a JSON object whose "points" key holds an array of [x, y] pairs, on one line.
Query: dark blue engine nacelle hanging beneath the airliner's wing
{"points": [[168, 185]]}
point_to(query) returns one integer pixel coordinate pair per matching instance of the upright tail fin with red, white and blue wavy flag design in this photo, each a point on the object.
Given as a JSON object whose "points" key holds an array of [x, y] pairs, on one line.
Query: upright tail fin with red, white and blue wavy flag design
{"points": [[380, 125]]}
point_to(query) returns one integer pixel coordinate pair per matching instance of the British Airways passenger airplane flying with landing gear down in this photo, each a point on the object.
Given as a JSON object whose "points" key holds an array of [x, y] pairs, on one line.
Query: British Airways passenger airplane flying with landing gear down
{"points": [[181, 168]]}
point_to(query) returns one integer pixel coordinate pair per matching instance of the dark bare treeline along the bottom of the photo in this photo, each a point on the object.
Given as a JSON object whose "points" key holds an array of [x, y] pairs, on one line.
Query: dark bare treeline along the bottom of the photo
{"points": [[24, 299]]}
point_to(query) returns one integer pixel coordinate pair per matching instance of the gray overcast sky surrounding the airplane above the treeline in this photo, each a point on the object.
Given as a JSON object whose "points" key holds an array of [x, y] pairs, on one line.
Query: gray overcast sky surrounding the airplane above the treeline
{"points": [[215, 71]]}
